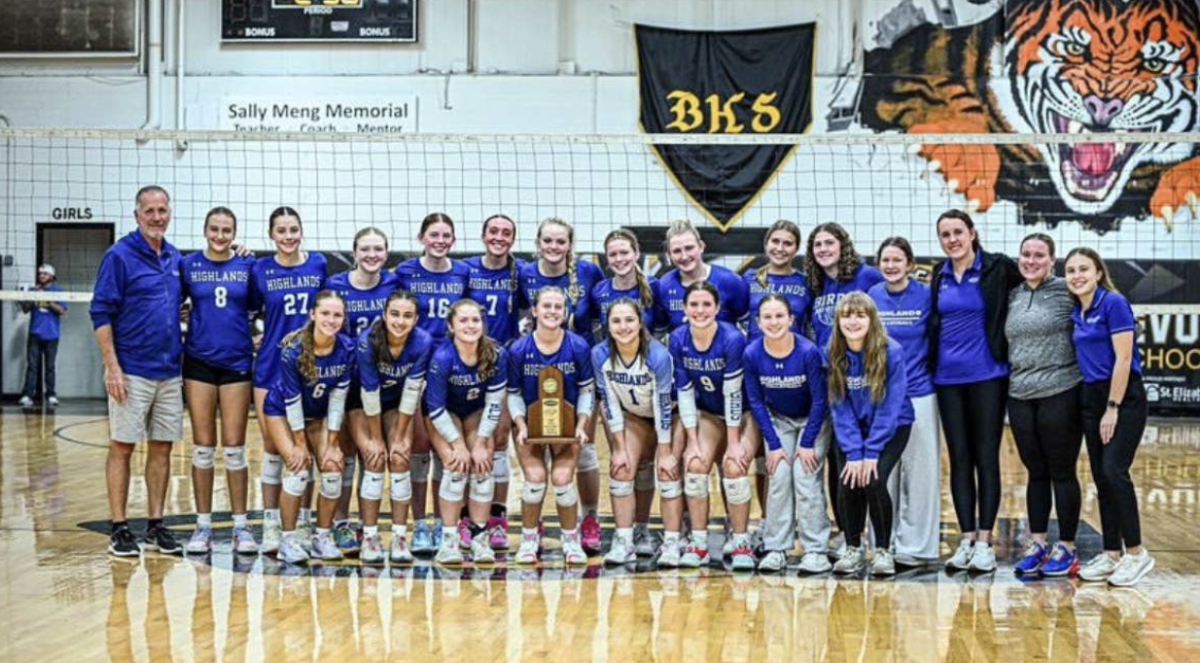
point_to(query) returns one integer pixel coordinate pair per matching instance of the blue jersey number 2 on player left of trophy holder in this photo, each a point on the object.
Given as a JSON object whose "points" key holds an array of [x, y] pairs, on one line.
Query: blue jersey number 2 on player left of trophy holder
{"points": [[452, 386]]}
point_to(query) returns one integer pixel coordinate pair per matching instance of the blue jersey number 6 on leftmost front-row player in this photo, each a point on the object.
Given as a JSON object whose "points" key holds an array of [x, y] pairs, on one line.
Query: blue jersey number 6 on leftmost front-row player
{"points": [[293, 393]]}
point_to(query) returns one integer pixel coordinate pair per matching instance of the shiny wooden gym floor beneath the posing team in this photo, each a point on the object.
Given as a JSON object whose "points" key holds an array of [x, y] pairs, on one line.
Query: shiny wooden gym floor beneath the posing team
{"points": [[63, 598]]}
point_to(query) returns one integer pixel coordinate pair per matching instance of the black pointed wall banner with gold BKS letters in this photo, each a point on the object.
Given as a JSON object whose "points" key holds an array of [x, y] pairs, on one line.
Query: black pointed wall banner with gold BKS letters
{"points": [[743, 82]]}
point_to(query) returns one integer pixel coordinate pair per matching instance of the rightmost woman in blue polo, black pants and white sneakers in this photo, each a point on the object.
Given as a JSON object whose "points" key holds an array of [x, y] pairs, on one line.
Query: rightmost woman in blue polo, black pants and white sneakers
{"points": [[1114, 414]]}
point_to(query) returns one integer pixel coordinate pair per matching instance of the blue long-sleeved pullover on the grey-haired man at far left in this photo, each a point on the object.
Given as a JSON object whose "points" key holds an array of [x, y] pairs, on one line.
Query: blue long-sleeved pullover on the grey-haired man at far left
{"points": [[139, 294]]}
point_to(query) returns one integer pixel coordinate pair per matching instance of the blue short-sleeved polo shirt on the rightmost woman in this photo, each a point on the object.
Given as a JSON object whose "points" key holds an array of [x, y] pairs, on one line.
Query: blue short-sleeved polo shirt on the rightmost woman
{"points": [[1109, 315]]}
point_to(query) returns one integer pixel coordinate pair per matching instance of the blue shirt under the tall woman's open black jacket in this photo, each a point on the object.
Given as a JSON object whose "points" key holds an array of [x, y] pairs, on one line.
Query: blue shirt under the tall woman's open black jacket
{"points": [[963, 353]]}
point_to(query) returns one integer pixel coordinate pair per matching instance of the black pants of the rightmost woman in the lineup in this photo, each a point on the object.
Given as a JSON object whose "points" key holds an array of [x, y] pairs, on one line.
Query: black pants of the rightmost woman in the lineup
{"points": [[1111, 463]]}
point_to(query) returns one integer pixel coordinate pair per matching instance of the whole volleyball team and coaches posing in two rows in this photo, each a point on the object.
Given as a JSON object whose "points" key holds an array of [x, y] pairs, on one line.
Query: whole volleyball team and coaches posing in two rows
{"points": [[819, 387]]}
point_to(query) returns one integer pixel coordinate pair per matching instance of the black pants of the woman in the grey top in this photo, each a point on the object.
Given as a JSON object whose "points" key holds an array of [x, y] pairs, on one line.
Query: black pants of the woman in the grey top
{"points": [[1049, 434]]}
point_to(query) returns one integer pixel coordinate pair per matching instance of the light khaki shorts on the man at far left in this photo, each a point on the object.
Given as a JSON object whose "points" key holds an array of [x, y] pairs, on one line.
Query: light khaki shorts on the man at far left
{"points": [[153, 410]]}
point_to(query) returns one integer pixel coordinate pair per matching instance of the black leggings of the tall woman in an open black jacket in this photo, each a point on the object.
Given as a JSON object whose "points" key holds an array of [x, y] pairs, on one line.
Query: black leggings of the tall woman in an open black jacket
{"points": [[974, 422]]}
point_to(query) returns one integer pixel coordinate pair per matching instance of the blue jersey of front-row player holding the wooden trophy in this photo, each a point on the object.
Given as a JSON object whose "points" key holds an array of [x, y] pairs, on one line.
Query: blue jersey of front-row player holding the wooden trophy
{"points": [[573, 357]]}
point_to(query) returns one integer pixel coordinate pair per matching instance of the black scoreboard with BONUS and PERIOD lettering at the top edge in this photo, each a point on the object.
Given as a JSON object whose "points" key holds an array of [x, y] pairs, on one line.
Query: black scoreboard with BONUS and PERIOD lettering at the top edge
{"points": [[319, 21]]}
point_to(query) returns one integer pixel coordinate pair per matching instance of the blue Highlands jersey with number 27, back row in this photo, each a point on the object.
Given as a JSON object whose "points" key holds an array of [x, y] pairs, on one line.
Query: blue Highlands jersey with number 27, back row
{"points": [[286, 294]]}
